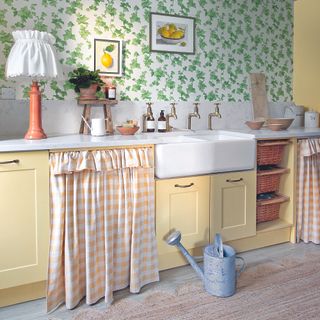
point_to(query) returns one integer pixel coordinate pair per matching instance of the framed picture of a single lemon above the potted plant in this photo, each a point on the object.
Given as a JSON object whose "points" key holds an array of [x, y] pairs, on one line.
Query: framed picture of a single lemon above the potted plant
{"points": [[108, 57]]}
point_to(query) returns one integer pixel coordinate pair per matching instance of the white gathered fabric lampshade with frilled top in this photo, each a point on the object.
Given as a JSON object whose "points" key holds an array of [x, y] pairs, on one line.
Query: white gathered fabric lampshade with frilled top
{"points": [[33, 56]]}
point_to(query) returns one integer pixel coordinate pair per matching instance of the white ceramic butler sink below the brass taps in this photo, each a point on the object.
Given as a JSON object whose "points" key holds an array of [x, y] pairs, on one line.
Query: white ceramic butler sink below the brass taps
{"points": [[202, 154]]}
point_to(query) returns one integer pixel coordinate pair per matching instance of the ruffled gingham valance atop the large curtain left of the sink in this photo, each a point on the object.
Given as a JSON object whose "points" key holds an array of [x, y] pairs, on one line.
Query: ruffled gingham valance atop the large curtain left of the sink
{"points": [[100, 160]]}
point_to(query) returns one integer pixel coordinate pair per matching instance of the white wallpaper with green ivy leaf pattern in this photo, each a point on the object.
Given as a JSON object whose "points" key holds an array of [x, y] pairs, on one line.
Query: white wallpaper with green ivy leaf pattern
{"points": [[233, 38]]}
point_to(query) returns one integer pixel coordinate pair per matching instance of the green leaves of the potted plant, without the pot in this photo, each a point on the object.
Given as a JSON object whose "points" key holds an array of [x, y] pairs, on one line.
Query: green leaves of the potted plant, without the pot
{"points": [[83, 78]]}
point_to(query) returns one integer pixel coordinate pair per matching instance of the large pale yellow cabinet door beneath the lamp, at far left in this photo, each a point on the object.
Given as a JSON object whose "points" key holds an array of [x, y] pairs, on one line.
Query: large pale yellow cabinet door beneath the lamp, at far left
{"points": [[24, 216]]}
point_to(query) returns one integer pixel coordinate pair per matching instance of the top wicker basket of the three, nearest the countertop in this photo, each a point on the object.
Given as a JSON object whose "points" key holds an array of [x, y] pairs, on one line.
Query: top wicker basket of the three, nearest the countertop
{"points": [[270, 152]]}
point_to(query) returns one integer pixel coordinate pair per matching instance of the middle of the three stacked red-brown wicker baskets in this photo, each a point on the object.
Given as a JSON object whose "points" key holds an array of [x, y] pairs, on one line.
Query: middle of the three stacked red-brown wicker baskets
{"points": [[269, 180]]}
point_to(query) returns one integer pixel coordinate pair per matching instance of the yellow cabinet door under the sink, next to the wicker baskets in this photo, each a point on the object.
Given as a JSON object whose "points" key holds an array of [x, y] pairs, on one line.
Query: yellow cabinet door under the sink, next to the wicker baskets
{"points": [[233, 205]]}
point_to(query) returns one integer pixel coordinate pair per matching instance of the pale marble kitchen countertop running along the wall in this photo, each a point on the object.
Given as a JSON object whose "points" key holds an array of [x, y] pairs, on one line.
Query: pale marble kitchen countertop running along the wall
{"points": [[87, 141]]}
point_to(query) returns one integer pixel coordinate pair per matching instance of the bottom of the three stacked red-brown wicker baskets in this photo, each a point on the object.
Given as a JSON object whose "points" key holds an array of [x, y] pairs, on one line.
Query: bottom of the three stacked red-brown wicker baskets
{"points": [[268, 210]]}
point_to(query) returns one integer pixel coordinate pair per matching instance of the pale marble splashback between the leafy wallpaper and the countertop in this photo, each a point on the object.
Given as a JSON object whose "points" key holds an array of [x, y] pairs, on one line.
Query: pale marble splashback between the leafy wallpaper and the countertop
{"points": [[63, 117]]}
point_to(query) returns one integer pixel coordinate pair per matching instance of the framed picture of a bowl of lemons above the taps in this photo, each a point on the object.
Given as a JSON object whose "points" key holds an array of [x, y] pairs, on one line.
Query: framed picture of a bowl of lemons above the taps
{"points": [[171, 33]]}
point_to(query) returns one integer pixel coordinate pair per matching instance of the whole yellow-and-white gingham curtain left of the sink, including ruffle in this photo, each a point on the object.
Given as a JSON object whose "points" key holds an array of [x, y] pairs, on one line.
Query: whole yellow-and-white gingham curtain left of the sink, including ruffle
{"points": [[102, 225]]}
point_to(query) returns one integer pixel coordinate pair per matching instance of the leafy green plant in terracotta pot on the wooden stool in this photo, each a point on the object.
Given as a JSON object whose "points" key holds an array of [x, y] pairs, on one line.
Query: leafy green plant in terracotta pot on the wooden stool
{"points": [[86, 82]]}
